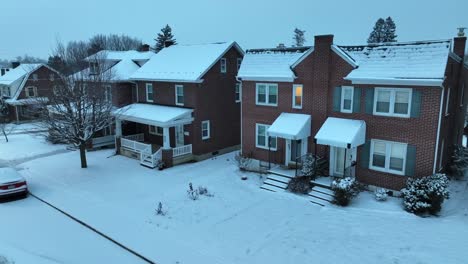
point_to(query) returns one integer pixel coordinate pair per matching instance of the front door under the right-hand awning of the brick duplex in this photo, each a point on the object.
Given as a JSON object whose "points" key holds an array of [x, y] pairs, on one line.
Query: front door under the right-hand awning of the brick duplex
{"points": [[337, 161]]}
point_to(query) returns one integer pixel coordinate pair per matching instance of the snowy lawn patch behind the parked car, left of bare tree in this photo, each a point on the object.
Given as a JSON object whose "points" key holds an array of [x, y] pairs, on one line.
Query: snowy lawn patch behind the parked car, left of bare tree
{"points": [[25, 146]]}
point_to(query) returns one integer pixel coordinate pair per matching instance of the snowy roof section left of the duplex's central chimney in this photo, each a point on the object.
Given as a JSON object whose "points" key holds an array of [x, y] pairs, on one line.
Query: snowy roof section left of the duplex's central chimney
{"points": [[272, 64]]}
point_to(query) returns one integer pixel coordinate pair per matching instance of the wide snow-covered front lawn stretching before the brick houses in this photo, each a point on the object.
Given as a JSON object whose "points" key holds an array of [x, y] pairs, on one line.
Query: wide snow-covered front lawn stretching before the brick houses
{"points": [[241, 223]]}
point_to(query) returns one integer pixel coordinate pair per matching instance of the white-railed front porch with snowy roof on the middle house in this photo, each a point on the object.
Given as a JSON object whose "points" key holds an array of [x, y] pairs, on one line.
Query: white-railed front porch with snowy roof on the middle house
{"points": [[153, 148]]}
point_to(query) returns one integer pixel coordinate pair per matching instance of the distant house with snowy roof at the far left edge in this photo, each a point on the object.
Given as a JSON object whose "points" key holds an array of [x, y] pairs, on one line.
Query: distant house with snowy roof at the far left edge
{"points": [[24, 87]]}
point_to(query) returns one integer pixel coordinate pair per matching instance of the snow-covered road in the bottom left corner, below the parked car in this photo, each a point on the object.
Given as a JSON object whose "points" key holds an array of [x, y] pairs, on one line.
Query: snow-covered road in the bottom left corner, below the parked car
{"points": [[32, 232]]}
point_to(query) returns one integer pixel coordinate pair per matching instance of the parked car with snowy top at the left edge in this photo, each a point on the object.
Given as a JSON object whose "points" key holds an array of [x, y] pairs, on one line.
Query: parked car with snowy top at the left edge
{"points": [[12, 184]]}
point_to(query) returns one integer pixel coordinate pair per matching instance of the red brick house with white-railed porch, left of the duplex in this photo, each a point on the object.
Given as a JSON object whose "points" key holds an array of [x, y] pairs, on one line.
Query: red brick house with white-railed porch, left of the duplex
{"points": [[187, 106]]}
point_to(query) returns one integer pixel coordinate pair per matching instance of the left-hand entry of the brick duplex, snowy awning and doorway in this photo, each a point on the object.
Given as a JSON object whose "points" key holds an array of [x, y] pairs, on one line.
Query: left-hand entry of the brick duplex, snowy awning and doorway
{"points": [[295, 130]]}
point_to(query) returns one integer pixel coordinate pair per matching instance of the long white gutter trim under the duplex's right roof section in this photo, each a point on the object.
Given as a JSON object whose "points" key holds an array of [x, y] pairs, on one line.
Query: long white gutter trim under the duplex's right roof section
{"points": [[395, 81]]}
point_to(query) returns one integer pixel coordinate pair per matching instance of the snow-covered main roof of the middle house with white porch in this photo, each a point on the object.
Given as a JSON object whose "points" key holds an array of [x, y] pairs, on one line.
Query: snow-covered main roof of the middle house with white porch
{"points": [[186, 63]]}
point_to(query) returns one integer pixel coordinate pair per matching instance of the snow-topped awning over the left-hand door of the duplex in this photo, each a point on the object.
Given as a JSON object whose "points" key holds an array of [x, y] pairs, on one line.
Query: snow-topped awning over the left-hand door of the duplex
{"points": [[291, 126]]}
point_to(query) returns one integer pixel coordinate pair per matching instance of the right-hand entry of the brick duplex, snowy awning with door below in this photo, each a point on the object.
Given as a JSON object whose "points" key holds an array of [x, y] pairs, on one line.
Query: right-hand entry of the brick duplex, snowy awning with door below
{"points": [[343, 136]]}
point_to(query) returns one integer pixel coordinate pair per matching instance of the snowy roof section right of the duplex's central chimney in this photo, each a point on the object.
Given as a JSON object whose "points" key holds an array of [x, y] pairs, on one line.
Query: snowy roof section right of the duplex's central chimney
{"points": [[418, 63]]}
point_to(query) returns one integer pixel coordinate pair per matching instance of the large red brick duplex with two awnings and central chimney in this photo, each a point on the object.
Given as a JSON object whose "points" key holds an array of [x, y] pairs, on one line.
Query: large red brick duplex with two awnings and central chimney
{"points": [[377, 112]]}
